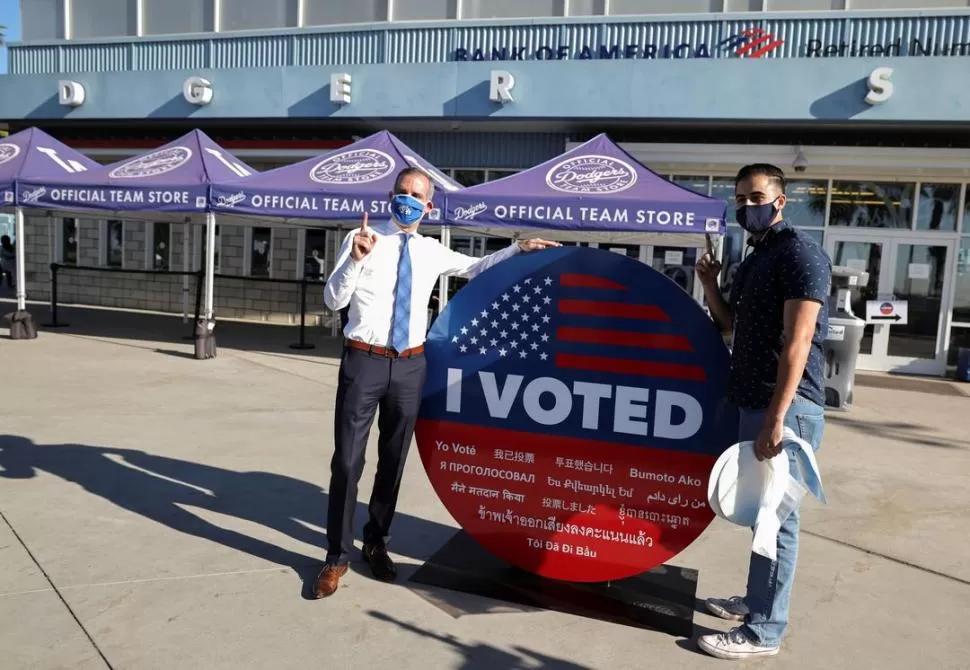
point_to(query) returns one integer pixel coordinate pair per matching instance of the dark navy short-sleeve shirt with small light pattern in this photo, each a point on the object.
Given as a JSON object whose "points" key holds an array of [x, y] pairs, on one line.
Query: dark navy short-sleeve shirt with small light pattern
{"points": [[785, 264]]}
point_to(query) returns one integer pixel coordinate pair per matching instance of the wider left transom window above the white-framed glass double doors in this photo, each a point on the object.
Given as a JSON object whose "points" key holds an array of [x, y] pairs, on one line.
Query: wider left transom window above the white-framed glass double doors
{"points": [[872, 204]]}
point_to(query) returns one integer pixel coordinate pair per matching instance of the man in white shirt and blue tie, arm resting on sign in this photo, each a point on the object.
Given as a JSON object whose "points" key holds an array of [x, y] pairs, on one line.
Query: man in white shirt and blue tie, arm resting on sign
{"points": [[384, 277]]}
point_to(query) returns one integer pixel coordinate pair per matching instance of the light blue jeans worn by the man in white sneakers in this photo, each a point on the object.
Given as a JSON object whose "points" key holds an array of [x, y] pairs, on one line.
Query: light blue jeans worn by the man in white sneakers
{"points": [[770, 582]]}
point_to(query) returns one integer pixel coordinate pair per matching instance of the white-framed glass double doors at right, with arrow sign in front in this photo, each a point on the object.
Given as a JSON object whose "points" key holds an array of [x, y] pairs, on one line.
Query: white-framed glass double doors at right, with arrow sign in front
{"points": [[903, 268]]}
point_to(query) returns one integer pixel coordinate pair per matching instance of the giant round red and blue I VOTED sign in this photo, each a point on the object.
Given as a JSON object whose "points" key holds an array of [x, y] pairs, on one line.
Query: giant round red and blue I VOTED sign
{"points": [[573, 410]]}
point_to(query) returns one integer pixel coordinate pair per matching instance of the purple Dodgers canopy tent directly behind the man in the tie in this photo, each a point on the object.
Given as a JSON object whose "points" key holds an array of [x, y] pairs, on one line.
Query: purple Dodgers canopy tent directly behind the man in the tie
{"points": [[339, 185]]}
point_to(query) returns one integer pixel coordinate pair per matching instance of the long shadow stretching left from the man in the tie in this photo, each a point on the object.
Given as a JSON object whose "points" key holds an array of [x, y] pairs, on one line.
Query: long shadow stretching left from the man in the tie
{"points": [[156, 487]]}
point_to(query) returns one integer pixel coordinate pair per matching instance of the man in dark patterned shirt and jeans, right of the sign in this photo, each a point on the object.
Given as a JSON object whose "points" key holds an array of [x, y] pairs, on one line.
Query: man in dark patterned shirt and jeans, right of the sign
{"points": [[778, 315]]}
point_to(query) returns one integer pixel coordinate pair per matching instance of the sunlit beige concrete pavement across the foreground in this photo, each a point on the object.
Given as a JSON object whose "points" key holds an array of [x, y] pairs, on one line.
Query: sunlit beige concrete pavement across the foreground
{"points": [[162, 512]]}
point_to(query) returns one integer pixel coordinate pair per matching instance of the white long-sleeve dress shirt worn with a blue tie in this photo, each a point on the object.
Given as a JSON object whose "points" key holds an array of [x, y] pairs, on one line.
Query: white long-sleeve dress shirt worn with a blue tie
{"points": [[367, 286]]}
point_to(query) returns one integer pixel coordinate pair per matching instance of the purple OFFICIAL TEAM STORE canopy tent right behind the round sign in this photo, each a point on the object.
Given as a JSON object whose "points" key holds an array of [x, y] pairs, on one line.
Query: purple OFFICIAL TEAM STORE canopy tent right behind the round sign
{"points": [[594, 192]]}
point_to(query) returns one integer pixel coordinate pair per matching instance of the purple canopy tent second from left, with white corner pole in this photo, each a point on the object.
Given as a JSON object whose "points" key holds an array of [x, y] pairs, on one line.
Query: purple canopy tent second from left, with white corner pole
{"points": [[169, 182]]}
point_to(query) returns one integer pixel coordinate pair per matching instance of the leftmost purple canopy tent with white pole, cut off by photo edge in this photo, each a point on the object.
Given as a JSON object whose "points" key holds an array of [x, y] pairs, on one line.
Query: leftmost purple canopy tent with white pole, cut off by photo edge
{"points": [[33, 154]]}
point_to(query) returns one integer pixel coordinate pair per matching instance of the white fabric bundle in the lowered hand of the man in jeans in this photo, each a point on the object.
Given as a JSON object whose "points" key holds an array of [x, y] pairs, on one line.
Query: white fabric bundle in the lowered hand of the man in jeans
{"points": [[762, 494]]}
